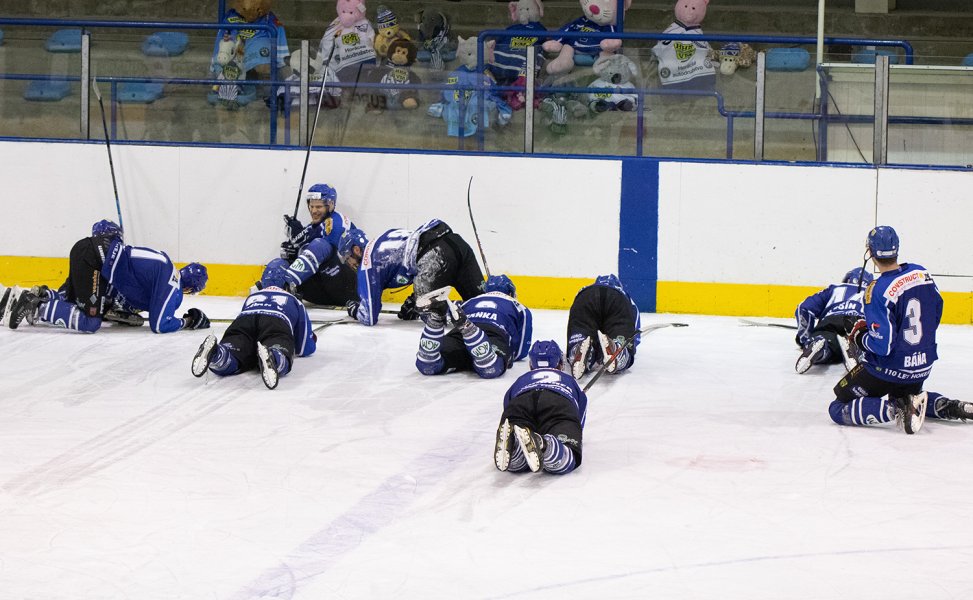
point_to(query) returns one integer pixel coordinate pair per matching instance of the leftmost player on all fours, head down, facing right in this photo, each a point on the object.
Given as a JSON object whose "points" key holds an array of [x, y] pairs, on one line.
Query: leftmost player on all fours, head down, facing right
{"points": [[103, 273]]}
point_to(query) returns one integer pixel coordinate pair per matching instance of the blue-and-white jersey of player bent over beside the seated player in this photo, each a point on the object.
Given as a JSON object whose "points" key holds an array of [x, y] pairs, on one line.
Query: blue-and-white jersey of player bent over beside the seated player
{"points": [[388, 261]]}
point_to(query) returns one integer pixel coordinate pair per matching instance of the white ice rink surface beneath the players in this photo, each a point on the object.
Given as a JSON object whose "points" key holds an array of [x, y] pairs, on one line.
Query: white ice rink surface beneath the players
{"points": [[711, 470]]}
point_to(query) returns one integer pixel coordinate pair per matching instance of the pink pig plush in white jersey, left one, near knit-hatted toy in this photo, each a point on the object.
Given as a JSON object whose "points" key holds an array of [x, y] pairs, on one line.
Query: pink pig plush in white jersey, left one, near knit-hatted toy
{"points": [[348, 44]]}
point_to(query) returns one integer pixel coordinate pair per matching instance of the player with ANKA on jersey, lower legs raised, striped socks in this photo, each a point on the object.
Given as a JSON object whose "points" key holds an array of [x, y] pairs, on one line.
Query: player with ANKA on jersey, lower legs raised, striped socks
{"points": [[491, 331]]}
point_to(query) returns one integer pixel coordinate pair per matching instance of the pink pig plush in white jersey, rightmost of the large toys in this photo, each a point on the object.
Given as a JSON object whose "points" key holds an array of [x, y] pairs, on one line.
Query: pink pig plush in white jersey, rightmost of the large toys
{"points": [[682, 63]]}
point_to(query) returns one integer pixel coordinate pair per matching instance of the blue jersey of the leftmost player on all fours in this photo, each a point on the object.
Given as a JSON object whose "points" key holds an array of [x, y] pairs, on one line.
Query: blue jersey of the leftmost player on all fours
{"points": [[145, 279]]}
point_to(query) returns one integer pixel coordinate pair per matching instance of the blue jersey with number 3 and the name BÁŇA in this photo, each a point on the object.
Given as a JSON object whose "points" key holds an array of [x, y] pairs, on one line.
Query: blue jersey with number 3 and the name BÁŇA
{"points": [[902, 312]]}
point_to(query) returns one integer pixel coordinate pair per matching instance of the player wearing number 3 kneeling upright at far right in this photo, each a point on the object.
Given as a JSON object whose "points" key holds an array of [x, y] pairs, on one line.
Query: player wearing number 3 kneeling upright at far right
{"points": [[897, 337]]}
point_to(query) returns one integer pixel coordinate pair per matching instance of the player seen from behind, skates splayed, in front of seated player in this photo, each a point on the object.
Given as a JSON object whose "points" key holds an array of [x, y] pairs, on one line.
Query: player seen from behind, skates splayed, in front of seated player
{"points": [[271, 328]]}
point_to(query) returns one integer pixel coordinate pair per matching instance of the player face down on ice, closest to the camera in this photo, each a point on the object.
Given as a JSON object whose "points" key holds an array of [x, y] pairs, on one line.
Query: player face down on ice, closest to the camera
{"points": [[543, 417]]}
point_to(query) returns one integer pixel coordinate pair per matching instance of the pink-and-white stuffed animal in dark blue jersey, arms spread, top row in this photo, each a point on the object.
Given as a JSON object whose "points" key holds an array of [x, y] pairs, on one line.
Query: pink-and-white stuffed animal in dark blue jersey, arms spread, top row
{"points": [[599, 17]]}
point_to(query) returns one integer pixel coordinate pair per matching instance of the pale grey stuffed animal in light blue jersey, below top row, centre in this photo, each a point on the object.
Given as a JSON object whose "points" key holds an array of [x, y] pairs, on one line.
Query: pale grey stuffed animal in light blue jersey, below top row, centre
{"points": [[460, 107]]}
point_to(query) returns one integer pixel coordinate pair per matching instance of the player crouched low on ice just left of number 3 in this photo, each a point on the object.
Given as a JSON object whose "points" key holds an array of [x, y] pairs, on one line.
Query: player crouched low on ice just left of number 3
{"points": [[824, 317]]}
